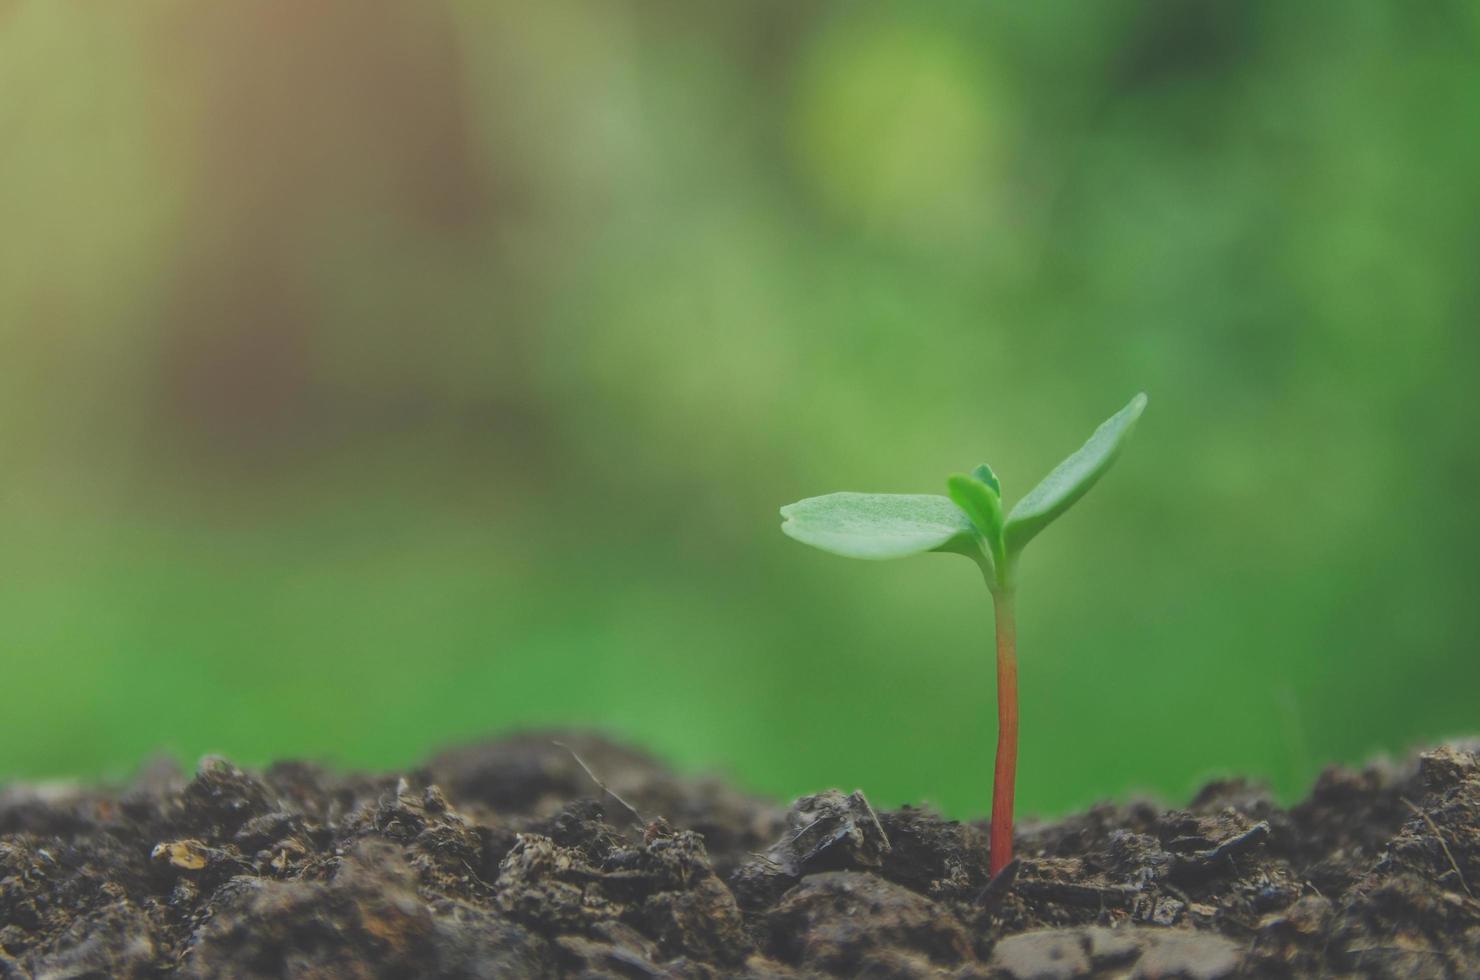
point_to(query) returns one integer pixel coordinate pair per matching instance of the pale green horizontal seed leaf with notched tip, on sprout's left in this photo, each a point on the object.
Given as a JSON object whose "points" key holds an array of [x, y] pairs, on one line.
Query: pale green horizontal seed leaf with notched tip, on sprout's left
{"points": [[880, 526]]}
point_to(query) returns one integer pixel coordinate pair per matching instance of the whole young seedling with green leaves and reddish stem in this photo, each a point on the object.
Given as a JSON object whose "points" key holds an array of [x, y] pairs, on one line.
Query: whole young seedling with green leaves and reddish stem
{"points": [[970, 523]]}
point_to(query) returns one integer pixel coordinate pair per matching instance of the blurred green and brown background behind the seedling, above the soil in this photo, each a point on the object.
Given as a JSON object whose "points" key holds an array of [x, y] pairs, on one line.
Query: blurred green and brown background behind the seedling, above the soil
{"points": [[383, 375]]}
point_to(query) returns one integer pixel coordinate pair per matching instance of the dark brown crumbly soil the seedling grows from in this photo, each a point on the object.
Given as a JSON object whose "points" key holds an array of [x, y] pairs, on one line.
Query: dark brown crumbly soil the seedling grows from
{"points": [[510, 861]]}
